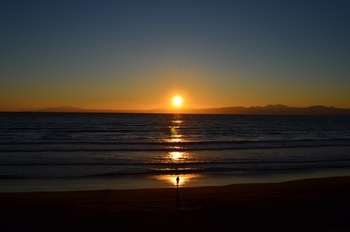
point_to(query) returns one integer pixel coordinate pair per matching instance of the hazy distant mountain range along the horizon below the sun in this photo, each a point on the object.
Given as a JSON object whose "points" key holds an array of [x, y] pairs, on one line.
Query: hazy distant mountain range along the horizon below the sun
{"points": [[254, 110]]}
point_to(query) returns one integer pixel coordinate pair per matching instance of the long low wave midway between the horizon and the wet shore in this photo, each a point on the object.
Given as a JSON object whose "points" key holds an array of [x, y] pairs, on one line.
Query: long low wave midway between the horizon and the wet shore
{"points": [[84, 146]]}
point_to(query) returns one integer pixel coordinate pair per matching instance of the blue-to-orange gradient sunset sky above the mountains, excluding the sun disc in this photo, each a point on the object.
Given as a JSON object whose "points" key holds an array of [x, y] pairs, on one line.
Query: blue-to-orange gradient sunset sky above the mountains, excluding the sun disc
{"points": [[137, 55]]}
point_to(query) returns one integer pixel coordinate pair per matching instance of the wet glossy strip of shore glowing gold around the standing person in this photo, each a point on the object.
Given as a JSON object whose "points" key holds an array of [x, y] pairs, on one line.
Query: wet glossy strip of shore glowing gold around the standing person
{"points": [[162, 181]]}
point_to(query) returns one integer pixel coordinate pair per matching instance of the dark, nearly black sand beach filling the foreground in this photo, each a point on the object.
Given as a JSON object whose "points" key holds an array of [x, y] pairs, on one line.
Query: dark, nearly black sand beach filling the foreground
{"points": [[304, 205]]}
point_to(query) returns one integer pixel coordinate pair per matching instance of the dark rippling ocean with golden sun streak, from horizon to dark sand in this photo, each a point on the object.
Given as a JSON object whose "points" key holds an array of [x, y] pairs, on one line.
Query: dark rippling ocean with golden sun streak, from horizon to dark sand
{"points": [[80, 151]]}
